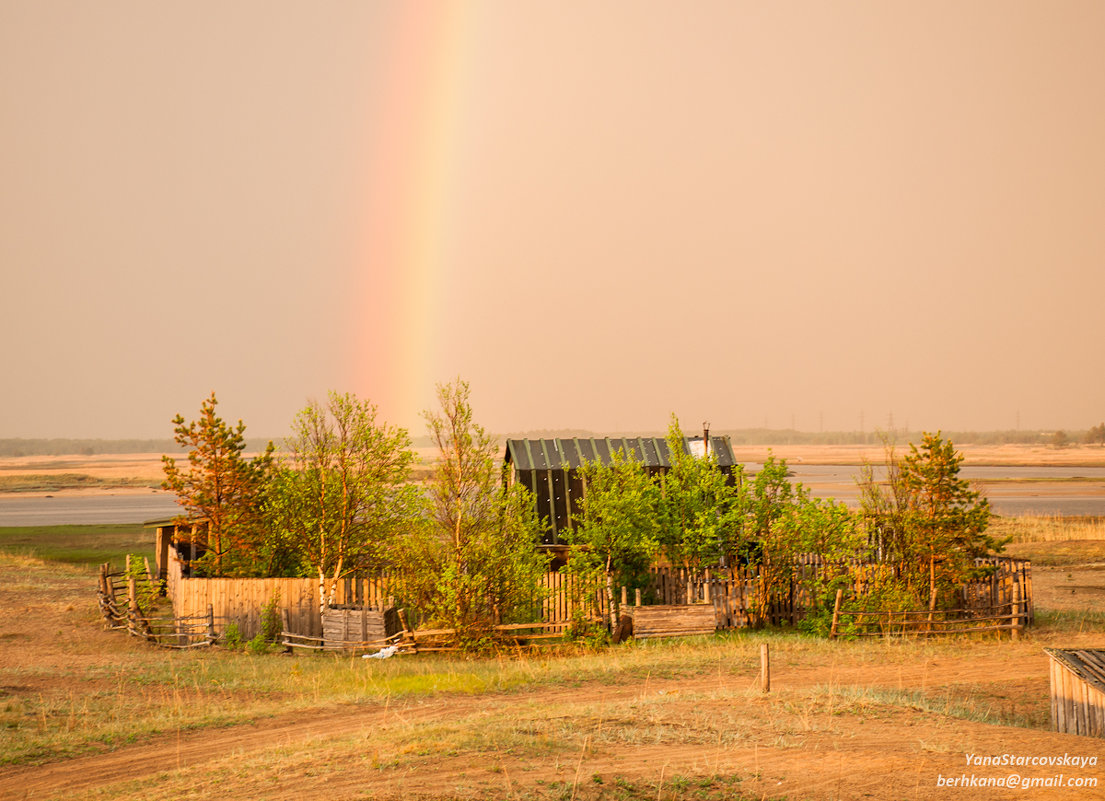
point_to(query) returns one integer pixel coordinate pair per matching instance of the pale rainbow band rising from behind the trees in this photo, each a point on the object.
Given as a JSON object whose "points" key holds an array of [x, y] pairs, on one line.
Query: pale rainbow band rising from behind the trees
{"points": [[403, 260]]}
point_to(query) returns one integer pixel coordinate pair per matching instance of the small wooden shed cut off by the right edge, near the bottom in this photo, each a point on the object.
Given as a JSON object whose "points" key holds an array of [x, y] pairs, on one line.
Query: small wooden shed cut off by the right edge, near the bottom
{"points": [[1078, 691]]}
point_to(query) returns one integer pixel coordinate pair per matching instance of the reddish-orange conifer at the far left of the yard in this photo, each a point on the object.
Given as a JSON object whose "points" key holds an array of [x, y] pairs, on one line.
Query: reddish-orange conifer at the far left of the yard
{"points": [[223, 489]]}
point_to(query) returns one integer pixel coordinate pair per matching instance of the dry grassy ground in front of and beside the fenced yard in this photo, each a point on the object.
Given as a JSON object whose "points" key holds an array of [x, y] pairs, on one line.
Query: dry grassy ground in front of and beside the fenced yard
{"points": [[94, 714]]}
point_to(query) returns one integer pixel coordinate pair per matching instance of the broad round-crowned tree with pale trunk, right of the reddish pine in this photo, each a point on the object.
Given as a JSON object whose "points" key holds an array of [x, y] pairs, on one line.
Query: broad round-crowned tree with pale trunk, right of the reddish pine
{"points": [[343, 497]]}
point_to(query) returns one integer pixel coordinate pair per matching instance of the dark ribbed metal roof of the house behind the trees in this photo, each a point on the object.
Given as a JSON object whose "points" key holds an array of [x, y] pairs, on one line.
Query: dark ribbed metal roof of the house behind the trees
{"points": [[571, 454]]}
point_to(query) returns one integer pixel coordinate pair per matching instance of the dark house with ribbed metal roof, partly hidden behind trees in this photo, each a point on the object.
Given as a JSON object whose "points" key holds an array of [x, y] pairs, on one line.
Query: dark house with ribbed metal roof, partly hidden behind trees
{"points": [[552, 469]]}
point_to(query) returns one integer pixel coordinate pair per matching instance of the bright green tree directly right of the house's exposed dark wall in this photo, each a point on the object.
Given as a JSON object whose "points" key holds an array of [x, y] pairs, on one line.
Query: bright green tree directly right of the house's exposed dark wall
{"points": [[618, 533]]}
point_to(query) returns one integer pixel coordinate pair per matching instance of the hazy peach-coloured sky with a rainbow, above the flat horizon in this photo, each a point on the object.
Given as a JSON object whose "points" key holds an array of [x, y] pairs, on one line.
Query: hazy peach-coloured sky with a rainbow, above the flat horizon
{"points": [[596, 213]]}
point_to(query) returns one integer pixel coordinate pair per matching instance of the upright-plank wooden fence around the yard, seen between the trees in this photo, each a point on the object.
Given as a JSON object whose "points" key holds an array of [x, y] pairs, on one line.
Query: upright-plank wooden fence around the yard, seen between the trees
{"points": [[735, 595]]}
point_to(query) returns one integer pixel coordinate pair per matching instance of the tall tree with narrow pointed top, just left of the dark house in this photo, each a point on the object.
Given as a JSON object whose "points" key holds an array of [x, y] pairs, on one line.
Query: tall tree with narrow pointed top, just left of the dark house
{"points": [[481, 553]]}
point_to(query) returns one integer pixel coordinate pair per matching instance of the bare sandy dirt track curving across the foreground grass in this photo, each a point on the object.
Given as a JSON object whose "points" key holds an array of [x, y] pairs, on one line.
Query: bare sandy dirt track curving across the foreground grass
{"points": [[808, 753]]}
